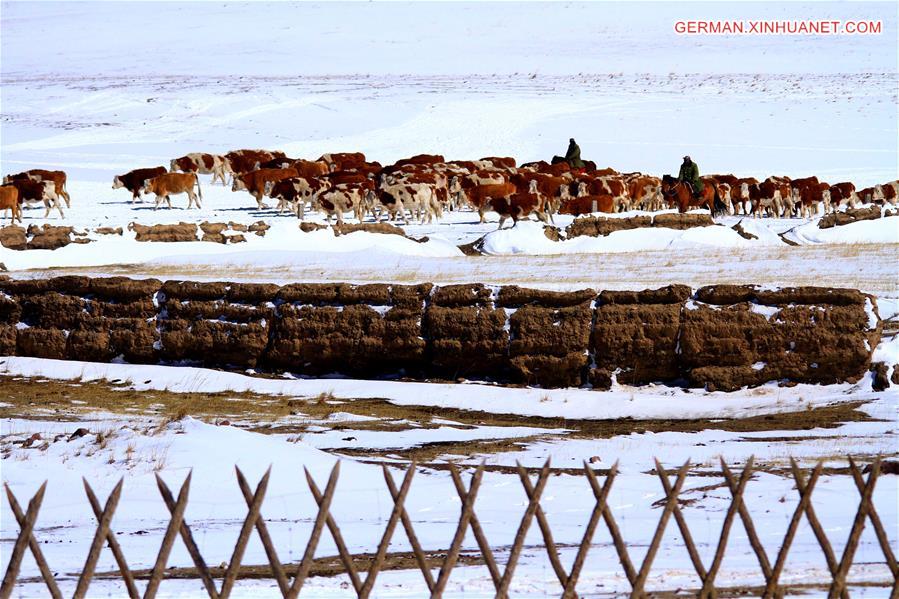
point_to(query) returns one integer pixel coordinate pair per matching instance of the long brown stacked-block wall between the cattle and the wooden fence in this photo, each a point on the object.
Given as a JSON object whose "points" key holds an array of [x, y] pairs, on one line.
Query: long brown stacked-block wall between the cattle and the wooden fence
{"points": [[722, 337]]}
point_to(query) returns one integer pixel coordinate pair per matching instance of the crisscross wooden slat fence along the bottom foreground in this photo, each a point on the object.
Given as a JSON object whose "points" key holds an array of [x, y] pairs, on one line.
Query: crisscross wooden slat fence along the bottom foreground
{"points": [[502, 580]]}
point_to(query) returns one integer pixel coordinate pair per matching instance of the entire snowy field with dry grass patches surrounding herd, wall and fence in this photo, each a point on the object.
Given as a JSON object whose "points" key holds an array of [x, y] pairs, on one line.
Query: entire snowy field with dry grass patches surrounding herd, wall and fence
{"points": [[98, 89]]}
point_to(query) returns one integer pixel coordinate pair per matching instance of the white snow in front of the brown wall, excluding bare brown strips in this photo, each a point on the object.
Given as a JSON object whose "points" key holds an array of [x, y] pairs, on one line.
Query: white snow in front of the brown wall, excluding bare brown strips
{"points": [[138, 446]]}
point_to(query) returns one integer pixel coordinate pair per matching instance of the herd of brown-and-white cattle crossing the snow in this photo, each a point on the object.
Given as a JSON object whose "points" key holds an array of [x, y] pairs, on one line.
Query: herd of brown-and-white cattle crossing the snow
{"points": [[424, 186]]}
